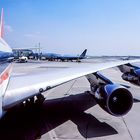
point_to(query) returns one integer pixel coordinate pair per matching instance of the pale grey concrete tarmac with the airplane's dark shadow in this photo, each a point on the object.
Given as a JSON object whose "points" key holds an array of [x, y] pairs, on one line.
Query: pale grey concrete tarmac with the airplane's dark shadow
{"points": [[69, 111]]}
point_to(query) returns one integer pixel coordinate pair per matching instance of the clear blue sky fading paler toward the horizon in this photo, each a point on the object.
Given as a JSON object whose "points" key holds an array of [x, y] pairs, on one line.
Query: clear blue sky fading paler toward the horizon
{"points": [[104, 27]]}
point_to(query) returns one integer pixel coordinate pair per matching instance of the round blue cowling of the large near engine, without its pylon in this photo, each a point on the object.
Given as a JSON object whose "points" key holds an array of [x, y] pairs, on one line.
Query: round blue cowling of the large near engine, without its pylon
{"points": [[114, 99]]}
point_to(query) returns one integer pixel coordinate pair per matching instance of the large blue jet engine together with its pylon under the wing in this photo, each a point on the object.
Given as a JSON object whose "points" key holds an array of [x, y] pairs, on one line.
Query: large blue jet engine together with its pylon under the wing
{"points": [[113, 98]]}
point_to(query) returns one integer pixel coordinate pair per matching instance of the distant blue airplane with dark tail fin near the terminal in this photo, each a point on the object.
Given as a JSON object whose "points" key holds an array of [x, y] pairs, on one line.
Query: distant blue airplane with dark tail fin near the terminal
{"points": [[54, 56]]}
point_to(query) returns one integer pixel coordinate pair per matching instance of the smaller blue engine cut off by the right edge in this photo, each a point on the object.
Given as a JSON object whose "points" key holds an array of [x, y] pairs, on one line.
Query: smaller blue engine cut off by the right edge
{"points": [[132, 77]]}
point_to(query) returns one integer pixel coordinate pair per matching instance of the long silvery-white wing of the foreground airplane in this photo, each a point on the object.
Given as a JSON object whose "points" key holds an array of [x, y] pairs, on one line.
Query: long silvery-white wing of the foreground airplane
{"points": [[23, 87]]}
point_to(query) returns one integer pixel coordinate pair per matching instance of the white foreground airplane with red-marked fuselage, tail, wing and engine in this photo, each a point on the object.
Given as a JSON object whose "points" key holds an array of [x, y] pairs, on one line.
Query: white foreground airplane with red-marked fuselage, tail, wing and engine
{"points": [[115, 99]]}
